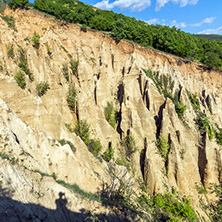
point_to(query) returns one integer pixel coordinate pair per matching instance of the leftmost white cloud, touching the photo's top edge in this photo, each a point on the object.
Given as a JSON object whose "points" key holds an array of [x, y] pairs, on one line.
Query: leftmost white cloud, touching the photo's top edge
{"points": [[133, 5]]}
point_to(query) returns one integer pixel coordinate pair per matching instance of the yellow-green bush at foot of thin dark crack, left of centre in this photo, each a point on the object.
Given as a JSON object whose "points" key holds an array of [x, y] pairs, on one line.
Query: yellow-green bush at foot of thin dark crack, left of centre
{"points": [[82, 130]]}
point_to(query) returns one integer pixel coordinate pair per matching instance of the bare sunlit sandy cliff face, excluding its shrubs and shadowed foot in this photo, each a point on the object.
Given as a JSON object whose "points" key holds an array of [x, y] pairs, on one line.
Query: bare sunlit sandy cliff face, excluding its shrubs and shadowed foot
{"points": [[107, 72]]}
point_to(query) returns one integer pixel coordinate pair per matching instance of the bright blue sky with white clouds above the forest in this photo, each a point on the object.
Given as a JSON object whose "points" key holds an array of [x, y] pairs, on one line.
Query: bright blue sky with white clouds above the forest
{"points": [[194, 16]]}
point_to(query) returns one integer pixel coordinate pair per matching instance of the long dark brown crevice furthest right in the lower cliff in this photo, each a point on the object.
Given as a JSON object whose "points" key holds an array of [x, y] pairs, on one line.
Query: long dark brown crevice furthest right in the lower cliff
{"points": [[202, 160]]}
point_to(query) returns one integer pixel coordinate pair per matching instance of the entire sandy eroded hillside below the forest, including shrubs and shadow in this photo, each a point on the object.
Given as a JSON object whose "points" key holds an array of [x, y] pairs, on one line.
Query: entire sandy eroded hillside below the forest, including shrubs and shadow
{"points": [[117, 132]]}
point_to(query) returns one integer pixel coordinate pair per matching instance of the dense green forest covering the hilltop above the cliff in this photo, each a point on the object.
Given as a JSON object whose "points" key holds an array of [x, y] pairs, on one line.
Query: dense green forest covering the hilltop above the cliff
{"points": [[164, 38]]}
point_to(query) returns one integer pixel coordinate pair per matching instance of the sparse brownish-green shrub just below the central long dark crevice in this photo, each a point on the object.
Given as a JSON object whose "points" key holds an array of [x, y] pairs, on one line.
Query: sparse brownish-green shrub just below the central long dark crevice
{"points": [[129, 145]]}
